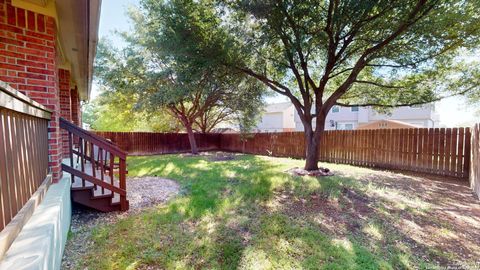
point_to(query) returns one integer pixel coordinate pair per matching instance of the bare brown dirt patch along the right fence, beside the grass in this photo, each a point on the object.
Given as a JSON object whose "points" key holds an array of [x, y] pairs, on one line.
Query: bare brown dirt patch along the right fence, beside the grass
{"points": [[437, 219]]}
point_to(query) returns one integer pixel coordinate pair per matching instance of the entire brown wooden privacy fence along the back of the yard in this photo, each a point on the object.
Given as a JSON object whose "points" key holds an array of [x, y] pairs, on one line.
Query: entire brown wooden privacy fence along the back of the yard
{"points": [[443, 151]]}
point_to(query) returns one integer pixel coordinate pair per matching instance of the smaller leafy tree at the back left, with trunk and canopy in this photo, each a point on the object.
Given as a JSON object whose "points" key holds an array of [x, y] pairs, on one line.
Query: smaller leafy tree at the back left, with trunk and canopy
{"points": [[158, 68]]}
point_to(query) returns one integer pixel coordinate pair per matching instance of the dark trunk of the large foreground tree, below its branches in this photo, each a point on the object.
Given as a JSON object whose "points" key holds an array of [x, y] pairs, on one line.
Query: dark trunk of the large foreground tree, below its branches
{"points": [[312, 144]]}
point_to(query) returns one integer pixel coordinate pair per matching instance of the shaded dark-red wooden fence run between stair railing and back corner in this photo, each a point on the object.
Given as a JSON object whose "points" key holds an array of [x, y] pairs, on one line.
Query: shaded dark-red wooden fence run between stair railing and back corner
{"points": [[149, 143]]}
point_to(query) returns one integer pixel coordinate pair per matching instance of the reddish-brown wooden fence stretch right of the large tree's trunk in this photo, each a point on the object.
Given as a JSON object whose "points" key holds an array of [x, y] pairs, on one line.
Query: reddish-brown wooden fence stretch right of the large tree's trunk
{"points": [[439, 151]]}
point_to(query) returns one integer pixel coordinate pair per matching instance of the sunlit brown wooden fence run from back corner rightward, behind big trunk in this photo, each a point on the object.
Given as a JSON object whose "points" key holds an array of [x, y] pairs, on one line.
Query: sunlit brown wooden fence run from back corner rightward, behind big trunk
{"points": [[443, 151]]}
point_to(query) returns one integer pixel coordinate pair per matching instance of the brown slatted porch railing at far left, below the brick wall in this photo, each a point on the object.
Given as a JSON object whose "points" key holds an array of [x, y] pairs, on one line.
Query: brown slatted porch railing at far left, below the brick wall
{"points": [[23, 150]]}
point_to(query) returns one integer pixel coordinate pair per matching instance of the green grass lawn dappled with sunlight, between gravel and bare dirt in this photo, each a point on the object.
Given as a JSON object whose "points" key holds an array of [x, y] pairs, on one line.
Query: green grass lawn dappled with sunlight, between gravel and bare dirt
{"points": [[228, 217]]}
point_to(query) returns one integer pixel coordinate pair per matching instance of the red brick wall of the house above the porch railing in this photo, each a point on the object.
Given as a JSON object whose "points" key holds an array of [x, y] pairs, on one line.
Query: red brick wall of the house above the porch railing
{"points": [[28, 63]]}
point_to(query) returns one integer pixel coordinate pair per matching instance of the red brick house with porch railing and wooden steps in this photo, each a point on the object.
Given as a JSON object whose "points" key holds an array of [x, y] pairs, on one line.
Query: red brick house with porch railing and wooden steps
{"points": [[47, 48]]}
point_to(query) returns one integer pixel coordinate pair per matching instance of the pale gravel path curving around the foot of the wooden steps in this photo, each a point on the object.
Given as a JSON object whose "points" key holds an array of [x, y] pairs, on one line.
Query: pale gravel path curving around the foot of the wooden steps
{"points": [[142, 192]]}
